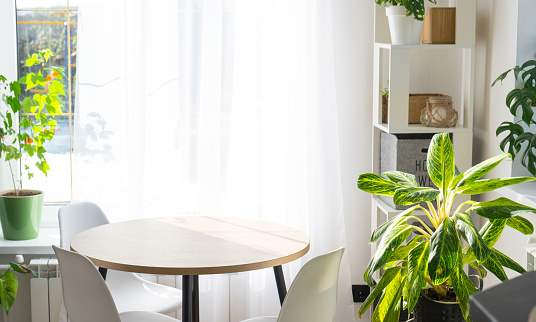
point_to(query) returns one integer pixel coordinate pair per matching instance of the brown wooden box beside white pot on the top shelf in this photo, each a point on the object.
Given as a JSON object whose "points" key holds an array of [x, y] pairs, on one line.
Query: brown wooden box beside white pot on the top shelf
{"points": [[439, 26]]}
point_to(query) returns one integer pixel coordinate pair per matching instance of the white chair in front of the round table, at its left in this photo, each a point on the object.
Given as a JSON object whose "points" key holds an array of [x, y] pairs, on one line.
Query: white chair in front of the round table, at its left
{"points": [[87, 297]]}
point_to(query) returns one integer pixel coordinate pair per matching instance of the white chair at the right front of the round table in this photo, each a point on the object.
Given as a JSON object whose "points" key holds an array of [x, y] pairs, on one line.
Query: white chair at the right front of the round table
{"points": [[312, 297]]}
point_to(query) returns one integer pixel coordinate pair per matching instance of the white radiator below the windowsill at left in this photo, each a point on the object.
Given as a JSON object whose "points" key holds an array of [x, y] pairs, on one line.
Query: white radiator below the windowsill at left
{"points": [[45, 289]]}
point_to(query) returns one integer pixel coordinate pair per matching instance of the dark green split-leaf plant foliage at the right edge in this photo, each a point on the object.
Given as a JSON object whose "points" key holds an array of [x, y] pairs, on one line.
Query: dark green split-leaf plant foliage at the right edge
{"points": [[517, 137]]}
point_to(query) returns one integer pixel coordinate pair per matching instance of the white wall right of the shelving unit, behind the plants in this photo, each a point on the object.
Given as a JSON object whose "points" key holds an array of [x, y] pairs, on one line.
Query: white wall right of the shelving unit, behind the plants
{"points": [[497, 51]]}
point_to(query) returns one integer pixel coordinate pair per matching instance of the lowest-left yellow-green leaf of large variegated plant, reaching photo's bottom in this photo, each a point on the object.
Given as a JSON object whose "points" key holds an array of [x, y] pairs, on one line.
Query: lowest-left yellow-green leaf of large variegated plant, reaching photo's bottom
{"points": [[388, 309]]}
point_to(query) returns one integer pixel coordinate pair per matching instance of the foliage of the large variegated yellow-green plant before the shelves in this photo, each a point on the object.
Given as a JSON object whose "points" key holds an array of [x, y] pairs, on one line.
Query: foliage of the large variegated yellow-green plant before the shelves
{"points": [[435, 256]]}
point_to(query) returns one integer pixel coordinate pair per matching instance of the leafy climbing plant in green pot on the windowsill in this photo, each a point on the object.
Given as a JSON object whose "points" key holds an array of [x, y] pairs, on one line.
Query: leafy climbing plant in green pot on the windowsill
{"points": [[25, 127]]}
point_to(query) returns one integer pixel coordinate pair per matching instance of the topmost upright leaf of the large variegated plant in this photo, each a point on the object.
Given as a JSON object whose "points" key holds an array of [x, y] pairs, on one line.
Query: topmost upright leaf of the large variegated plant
{"points": [[440, 161]]}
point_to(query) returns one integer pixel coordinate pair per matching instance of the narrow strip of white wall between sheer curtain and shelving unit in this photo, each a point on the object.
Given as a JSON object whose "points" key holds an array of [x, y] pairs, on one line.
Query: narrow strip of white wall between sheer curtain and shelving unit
{"points": [[353, 35]]}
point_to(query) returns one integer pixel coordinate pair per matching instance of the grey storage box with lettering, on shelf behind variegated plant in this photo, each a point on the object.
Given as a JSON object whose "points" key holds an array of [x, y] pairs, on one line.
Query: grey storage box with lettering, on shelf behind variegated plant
{"points": [[406, 153]]}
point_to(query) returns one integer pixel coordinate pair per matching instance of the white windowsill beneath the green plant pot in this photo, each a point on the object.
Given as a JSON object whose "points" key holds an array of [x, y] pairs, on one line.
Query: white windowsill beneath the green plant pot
{"points": [[42, 245]]}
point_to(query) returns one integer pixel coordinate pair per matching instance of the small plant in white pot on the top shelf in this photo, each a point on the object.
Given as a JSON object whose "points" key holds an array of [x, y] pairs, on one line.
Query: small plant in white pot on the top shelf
{"points": [[405, 20]]}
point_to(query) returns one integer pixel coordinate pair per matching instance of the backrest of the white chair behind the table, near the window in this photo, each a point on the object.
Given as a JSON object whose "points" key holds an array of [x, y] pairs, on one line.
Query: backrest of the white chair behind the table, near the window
{"points": [[76, 218]]}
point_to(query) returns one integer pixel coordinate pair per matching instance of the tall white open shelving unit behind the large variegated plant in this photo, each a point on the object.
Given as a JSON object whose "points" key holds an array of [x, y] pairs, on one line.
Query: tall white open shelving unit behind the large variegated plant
{"points": [[446, 69]]}
